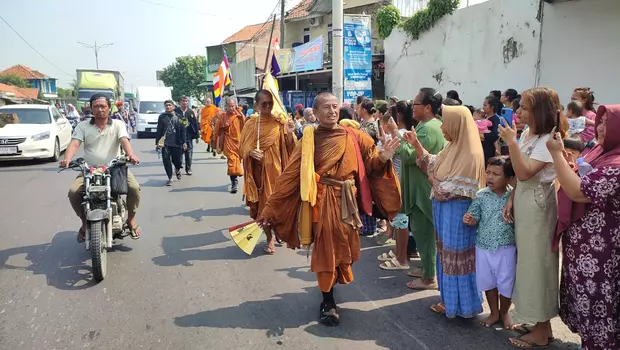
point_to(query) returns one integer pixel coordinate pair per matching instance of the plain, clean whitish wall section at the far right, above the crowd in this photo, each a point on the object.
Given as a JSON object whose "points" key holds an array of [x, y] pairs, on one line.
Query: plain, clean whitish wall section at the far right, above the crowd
{"points": [[581, 47]]}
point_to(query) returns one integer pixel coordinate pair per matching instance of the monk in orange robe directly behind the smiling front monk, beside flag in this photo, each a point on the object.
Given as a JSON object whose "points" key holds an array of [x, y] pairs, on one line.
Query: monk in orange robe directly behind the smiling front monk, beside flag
{"points": [[263, 163]]}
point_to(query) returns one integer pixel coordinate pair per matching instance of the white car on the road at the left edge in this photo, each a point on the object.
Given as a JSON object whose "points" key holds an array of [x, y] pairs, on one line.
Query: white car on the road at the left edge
{"points": [[33, 132]]}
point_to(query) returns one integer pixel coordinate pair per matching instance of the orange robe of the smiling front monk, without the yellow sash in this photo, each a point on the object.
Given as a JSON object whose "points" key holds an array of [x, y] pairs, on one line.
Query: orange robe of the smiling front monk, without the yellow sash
{"points": [[336, 244]]}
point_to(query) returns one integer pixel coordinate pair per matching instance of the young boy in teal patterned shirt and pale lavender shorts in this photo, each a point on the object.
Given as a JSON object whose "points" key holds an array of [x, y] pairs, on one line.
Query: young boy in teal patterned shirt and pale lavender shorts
{"points": [[496, 253]]}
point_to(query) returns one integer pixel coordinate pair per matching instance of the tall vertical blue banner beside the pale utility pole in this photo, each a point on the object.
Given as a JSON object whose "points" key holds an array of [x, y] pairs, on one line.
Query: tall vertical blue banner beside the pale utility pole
{"points": [[357, 57]]}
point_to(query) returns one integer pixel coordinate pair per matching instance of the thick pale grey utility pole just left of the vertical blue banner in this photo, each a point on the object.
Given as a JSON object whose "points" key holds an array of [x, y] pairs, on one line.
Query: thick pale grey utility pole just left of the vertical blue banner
{"points": [[338, 49]]}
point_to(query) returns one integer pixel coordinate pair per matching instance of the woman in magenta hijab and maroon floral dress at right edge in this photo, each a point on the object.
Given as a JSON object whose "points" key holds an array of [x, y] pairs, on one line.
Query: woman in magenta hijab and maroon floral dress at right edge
{"points": [[589, 225]]}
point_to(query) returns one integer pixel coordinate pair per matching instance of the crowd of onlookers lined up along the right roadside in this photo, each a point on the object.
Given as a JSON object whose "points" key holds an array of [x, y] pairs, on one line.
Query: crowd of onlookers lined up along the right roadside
{"points": [[492, 196]]}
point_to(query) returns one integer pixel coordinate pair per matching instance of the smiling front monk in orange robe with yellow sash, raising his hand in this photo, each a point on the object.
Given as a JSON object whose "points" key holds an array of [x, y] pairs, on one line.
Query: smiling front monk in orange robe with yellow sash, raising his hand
{"points": [[331, 170]]}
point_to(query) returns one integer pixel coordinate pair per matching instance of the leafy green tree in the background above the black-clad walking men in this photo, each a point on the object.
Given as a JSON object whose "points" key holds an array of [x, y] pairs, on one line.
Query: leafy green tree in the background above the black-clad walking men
{"points": [[184, 75]]}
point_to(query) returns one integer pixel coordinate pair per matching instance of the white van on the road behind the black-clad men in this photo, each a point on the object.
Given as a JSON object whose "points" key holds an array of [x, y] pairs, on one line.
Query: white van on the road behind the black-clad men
{"points": [[150, 105]]}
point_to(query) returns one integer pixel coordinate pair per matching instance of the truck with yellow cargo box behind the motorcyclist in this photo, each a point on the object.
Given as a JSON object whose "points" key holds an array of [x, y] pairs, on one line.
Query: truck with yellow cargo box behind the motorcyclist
{"points": [[107, 82]]}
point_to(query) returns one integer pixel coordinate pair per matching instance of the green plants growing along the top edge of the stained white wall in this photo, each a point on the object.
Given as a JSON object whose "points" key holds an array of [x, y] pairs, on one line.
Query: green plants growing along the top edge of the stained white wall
{"points": [[420, 22]]}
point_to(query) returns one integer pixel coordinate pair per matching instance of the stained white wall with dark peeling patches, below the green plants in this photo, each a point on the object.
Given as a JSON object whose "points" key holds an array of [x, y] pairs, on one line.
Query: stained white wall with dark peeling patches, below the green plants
{"points": [[489, 46]]}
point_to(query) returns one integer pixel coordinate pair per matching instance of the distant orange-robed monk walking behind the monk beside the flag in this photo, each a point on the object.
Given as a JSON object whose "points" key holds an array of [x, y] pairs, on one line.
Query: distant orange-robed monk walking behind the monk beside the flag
{"points": [[228, 134]]}
